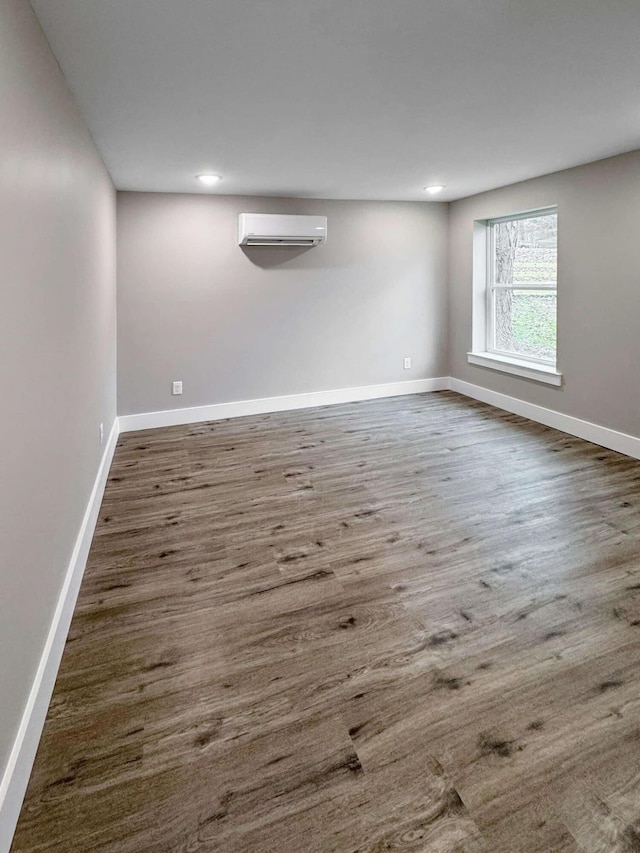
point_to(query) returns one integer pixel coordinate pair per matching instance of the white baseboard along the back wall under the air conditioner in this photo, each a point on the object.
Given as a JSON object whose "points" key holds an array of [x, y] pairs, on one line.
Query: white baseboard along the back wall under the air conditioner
{"points": [[264, 405]]}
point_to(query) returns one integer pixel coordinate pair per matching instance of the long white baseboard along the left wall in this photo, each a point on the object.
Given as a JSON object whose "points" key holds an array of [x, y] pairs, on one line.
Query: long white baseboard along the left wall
{"points": [[16, 776]]}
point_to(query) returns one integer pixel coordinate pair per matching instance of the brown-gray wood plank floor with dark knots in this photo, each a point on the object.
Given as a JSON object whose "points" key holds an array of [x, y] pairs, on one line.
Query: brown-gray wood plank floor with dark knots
{"points": [[407, 624]]}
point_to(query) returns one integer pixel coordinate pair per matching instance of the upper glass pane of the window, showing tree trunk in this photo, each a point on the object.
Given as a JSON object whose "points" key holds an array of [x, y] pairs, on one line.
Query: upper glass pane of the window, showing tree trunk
{"points": [[526, 250]]}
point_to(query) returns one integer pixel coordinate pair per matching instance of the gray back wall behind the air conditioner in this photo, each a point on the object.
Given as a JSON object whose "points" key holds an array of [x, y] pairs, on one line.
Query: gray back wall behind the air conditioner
{"points": [[237, 325]]}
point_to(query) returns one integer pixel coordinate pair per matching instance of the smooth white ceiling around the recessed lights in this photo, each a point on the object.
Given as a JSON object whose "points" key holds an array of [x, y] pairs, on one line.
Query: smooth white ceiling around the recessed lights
{"points": [[367, 99]]}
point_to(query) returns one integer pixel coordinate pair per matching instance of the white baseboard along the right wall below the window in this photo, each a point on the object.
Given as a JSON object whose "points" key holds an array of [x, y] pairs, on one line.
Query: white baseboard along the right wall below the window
{"points": [[605, 437]]}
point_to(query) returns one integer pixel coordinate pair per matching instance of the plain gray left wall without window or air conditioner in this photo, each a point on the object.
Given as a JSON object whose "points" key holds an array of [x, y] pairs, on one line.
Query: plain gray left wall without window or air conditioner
{"points": [[57, 342]]}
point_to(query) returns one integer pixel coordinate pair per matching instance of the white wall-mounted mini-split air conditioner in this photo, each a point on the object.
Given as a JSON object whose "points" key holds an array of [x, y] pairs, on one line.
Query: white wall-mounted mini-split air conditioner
{"points": [[275, 229]]}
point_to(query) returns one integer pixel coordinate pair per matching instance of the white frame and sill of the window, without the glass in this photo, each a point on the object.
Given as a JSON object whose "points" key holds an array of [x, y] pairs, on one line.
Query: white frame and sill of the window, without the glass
{"points": [[487, 355]]}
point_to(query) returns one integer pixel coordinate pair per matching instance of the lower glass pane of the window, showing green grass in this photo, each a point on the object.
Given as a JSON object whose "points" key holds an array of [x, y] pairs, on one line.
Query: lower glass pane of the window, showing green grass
{"points": [[525, 323]]}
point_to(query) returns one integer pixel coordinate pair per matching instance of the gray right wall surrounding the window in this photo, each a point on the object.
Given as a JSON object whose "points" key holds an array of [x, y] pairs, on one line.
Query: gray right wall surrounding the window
{"points": [[598, 289]]}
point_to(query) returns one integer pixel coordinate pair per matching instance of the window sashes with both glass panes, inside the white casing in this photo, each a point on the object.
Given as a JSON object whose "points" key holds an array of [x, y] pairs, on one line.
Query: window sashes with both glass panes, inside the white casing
{"points": [[522, 287]]}
